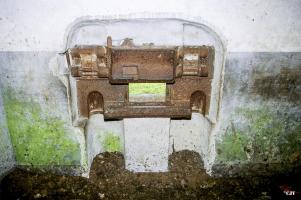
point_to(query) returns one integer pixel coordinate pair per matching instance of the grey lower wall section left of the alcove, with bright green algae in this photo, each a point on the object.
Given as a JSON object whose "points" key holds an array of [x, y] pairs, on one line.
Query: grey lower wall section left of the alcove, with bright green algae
{"points": [[36, 110]]}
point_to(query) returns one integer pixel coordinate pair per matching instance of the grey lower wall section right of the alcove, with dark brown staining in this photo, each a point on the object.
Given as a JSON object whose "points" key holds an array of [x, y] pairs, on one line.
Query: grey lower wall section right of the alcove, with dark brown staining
{"points": [[261, 109]]}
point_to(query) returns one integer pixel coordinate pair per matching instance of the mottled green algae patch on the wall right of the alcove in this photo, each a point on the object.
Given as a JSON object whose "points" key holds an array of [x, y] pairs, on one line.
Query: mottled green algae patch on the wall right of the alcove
{"points": [[264, 136]]}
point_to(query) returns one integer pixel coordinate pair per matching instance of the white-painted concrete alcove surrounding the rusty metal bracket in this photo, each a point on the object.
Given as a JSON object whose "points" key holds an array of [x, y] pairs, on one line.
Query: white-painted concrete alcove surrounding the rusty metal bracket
{"points": [[198, 132]]}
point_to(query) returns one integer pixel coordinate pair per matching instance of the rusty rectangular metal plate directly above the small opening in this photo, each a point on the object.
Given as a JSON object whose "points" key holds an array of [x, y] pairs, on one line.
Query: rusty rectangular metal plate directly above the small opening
{"points": [[141, 65]]}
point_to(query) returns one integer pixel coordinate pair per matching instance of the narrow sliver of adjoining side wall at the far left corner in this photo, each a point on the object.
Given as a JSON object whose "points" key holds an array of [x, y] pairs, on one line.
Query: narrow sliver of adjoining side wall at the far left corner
{"points": [[7, 159]]}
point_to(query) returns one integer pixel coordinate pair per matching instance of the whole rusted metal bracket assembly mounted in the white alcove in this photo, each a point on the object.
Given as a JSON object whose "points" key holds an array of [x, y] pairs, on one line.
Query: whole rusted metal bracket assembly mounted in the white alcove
{"points": [[103, 75]]}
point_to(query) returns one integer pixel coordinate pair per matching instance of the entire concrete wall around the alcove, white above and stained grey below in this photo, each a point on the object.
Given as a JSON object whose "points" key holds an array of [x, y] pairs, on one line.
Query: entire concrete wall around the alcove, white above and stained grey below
{"points": [[255, 123]]}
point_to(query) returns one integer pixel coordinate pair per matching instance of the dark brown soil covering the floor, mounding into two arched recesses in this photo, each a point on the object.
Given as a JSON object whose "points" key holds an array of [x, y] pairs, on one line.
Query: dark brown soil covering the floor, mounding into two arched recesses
{"points": [[109, 179]]}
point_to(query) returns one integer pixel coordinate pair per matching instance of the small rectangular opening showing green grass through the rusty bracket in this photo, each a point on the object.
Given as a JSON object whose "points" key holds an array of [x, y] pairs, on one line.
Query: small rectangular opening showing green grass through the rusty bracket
{"points": [[147, 92]]}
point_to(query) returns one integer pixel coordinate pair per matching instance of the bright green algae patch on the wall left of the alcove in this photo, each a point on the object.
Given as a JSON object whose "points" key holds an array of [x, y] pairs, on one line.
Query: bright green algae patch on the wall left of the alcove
{"points": [[38, 139]]}
